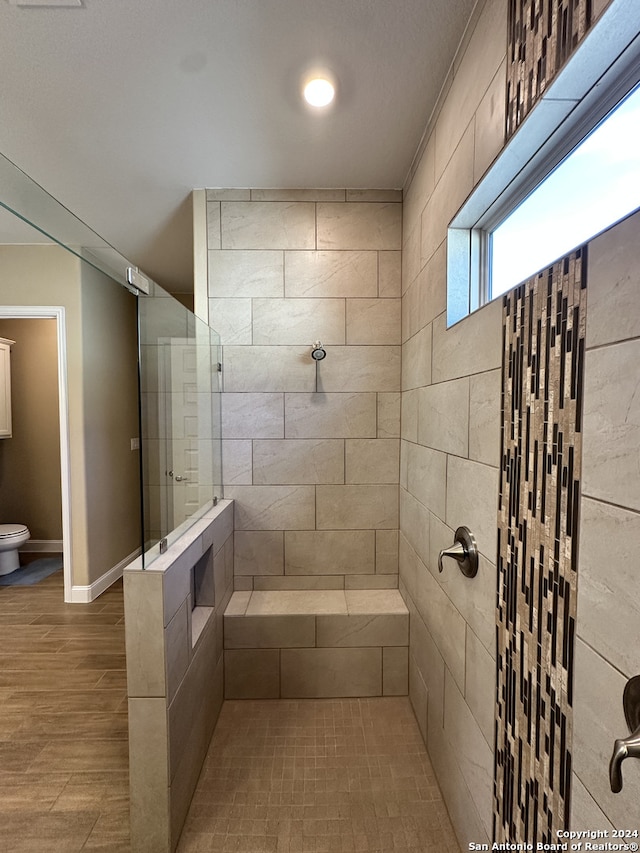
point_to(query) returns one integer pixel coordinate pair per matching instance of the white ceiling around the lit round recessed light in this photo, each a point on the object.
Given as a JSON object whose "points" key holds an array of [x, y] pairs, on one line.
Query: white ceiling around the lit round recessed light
{"points": [[120, 107]]}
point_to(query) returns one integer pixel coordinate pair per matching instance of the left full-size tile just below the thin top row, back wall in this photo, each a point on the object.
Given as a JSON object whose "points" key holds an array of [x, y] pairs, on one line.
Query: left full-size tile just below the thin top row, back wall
{"points": [[268, 225]]}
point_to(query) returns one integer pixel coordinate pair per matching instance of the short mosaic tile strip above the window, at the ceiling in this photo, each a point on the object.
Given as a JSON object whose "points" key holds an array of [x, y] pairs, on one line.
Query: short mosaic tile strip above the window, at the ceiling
{"points": [[541, 36]]}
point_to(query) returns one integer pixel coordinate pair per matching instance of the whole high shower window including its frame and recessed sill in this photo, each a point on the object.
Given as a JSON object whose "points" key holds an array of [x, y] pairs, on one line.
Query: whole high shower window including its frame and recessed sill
{"points": [[515, 221]]}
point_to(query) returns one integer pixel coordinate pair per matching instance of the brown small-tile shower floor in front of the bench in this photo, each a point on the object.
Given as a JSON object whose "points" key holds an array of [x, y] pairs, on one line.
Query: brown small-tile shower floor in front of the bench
{"points": [[317, 776]]}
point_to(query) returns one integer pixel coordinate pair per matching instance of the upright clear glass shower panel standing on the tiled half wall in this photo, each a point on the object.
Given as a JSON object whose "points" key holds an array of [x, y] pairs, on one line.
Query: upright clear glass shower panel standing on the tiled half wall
{"points": [[180, 419]]}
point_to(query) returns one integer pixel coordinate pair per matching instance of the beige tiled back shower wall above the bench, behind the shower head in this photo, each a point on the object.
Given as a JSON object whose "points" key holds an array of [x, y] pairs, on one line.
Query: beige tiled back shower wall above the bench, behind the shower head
{"points": [[313, 470]]}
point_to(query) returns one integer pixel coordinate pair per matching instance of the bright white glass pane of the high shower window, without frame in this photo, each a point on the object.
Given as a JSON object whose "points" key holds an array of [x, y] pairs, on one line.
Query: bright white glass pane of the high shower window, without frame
{"points": [[595, 186]]}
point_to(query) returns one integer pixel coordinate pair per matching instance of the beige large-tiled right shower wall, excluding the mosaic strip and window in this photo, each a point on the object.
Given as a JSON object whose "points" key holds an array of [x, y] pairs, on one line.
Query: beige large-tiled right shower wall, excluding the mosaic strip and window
{"points": [[450, 458]]}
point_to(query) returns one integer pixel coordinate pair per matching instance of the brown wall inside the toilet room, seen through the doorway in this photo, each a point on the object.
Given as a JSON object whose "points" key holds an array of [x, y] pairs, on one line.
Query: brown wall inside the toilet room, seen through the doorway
{"points": [[30, 491]]}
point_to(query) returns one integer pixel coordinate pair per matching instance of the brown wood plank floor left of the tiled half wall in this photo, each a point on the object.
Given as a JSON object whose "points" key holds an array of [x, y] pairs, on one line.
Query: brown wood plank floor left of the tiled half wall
{"points": [[64, 782]]}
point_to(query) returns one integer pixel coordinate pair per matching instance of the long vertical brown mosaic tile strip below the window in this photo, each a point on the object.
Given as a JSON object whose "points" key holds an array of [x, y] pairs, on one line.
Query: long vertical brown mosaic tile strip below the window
{"points": [[543, 362]]}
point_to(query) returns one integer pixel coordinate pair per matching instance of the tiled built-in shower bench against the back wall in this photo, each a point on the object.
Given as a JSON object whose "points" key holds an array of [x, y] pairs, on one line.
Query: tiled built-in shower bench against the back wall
{"points": [[316, 644]]}
